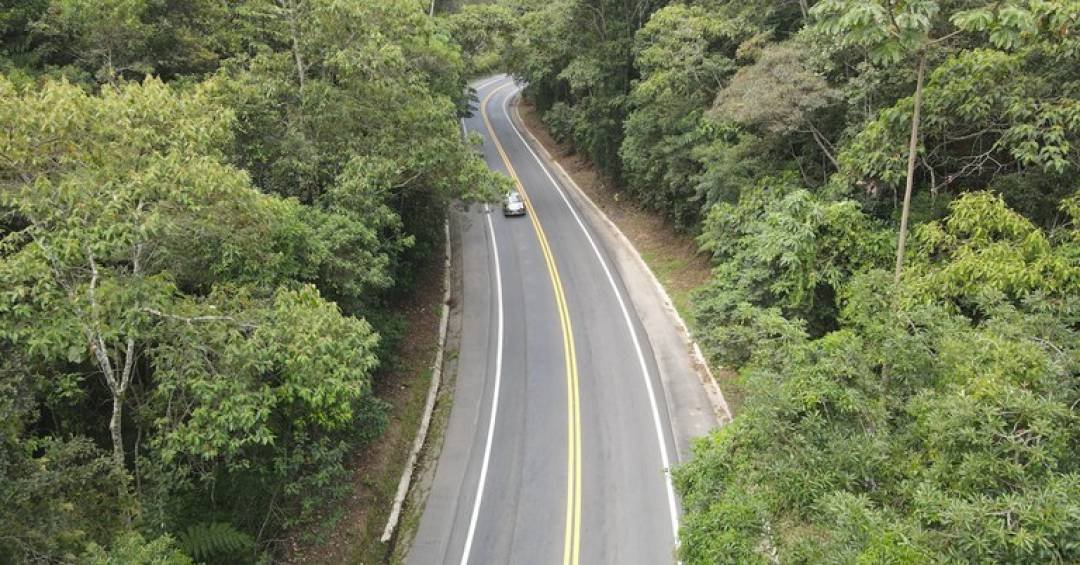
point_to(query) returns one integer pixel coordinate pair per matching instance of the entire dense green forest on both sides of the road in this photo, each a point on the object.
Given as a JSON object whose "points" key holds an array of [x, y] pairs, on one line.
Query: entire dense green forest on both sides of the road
{"points": [[207, 209]]}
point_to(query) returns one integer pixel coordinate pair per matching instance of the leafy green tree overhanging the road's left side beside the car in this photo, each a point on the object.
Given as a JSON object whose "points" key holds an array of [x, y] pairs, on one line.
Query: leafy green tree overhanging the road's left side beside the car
{"points": [[402, 124]]}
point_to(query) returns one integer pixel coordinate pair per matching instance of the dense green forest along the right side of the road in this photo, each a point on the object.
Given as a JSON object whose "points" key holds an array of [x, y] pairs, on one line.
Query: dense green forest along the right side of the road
{"points": [[889, 193]]}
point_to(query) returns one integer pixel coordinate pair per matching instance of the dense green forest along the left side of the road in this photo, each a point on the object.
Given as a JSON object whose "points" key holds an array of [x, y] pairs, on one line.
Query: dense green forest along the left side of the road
{"points": [[206, 208]]}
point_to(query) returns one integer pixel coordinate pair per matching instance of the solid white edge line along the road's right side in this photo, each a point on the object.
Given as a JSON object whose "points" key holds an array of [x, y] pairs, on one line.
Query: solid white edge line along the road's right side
{"points": [[672, 506]]}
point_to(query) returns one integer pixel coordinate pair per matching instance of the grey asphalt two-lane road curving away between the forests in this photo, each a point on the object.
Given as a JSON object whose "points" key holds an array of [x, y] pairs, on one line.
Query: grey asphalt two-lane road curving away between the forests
{"points": [[560, 438]]}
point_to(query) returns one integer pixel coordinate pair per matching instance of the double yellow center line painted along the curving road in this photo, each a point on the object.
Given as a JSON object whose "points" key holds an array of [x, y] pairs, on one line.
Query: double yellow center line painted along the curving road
{"points": [[572, 547]]}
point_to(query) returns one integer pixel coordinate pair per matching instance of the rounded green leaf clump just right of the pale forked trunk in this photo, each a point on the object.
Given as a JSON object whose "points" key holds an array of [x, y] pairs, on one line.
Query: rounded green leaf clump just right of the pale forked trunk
{"points": [[319, 364]]}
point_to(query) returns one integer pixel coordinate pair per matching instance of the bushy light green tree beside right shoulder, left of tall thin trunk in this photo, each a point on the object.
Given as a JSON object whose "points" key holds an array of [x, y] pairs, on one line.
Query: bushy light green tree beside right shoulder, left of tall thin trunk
{"points": [[781, 257]]}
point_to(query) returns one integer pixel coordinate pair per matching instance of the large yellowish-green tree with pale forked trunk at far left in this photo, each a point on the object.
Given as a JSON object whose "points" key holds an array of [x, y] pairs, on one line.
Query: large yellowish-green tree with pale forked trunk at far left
{"points": [[139, 253]]}
